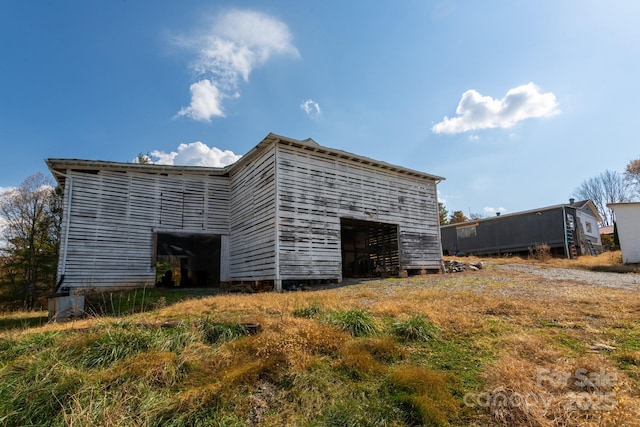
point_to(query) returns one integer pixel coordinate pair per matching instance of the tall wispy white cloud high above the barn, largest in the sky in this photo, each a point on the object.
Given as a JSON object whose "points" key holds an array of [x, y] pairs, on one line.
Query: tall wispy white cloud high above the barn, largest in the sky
{"points": [[237, 42]]}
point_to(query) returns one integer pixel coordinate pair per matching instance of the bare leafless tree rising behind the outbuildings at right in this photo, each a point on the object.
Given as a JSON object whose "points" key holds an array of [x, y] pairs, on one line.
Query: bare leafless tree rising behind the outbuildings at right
{"points": [[608, 187]]}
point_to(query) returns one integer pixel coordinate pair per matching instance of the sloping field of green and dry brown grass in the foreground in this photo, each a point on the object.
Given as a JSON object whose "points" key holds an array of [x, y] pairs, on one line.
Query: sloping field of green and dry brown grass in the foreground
{"points": [[487, 347]]}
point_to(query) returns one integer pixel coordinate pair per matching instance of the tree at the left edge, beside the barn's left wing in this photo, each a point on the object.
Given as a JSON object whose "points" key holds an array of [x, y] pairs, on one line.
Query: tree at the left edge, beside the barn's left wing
{"points": [[31, 214]]}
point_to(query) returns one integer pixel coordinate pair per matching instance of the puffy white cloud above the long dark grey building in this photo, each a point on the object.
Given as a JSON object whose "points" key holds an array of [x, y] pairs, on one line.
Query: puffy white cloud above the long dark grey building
{"points": [[483, 112]]}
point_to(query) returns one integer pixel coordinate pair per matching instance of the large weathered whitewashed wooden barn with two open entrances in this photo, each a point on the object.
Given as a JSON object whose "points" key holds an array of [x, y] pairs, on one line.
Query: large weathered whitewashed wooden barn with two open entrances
{"points": [[289, 210]]}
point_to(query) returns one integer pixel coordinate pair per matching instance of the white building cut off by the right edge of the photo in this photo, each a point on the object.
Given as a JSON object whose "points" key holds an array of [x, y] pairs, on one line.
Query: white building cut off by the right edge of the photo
{"points": [[627, 218]]}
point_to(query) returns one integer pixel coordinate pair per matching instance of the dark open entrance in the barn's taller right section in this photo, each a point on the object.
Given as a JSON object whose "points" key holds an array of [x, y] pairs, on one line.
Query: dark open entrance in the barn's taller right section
{"points": [[369, 249]]}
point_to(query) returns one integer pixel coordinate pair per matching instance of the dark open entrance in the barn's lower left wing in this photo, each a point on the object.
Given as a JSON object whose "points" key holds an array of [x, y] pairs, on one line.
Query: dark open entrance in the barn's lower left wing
{"points": [[187, 260]]}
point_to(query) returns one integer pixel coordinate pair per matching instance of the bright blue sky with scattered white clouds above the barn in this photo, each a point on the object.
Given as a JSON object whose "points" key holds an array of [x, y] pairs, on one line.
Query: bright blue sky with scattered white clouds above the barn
{"points": [[514, 103]]}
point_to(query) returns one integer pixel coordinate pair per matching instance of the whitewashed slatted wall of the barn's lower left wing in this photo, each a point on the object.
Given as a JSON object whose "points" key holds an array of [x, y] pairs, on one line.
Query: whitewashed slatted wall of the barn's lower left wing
{"points": [[113, 217]]}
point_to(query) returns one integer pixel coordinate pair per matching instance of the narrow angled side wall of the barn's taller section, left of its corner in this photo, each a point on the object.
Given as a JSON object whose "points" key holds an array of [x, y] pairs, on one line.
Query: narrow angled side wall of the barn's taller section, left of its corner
{"points": [[252, 219]]}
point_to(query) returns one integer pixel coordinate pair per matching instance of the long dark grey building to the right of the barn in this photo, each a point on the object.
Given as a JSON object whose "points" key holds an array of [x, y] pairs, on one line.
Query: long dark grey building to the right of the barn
{"points": [[567, 229]]}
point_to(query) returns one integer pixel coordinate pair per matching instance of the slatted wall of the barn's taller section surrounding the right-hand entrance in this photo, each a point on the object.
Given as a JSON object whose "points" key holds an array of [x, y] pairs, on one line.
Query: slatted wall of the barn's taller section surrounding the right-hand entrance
{"points": [[316, 190]]}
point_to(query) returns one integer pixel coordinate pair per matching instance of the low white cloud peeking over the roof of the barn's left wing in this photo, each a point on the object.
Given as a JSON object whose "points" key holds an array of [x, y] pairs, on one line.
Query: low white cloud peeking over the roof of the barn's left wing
{"points": [[195, 154]]}
